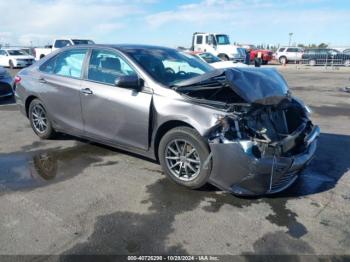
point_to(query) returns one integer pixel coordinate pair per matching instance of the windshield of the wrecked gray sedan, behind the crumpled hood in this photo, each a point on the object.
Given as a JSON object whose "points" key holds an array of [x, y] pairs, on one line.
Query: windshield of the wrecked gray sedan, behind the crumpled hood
{"points": [[168, 66]]}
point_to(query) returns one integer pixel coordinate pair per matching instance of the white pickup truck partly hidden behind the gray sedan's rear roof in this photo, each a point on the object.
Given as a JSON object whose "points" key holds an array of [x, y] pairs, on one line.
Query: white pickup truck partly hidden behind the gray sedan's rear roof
{"points": [[59, 43]]}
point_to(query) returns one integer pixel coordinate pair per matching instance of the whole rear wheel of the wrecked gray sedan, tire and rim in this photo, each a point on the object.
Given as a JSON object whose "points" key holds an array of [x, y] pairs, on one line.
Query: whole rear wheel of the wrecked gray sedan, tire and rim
{"points": [[39, 120]]}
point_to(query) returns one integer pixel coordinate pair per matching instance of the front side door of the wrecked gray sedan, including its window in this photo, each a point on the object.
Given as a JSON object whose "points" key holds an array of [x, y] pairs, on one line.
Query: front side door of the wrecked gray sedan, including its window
{"points": [[113, 114]]}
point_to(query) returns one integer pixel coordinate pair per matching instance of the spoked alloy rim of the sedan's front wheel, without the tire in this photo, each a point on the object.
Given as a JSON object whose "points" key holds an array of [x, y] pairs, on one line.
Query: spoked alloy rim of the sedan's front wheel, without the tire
{"points": [[182, 159]]}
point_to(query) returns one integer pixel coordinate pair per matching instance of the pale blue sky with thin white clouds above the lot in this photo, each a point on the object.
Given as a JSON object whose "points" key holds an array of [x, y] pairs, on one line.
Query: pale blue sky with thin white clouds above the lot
{"points": [[172, 22]]}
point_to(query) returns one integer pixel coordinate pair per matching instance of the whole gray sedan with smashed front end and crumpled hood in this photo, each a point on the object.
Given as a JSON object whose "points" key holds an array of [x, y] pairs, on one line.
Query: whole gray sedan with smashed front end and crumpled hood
{"points": [[239, 129]]}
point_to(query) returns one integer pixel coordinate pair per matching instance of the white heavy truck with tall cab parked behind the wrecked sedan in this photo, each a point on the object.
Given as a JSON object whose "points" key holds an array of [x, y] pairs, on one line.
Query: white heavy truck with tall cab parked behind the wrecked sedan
{"points": [[219, 45]]}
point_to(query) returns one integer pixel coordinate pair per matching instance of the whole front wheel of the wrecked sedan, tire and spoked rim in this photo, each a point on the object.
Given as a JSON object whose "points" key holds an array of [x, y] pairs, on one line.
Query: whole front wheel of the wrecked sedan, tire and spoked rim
{"points": [[186, 175]]}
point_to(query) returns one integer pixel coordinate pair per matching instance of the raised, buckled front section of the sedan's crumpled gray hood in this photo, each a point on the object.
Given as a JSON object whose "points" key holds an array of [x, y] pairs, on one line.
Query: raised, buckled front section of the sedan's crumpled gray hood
{"points": [[257, 85]]}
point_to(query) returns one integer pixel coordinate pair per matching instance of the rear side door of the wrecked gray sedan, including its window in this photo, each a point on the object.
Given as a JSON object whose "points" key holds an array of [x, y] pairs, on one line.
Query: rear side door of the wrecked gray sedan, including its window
{"points": [[60, 83]]}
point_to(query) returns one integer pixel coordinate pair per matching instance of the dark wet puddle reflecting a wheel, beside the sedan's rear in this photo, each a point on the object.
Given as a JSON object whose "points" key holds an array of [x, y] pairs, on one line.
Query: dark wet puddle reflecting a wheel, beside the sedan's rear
{"points": [[32, 169]]}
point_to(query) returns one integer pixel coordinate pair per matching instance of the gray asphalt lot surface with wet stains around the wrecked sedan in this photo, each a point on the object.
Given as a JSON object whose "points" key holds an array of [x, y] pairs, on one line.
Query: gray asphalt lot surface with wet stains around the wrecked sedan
{"points": [[69, 196]]}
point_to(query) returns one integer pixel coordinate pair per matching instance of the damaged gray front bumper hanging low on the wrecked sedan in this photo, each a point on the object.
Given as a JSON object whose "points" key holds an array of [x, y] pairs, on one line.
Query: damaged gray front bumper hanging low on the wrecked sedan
{"points": [[237, 170]]}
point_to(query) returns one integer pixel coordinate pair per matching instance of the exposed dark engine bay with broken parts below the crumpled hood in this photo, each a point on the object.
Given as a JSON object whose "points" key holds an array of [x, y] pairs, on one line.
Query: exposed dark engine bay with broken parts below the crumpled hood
{"points": [[274, 130]]}
